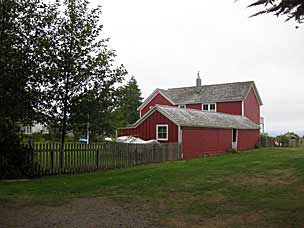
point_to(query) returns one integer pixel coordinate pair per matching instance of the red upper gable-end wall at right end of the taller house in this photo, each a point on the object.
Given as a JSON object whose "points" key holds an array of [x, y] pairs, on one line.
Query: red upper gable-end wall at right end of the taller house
{"points": [[252, 107]]}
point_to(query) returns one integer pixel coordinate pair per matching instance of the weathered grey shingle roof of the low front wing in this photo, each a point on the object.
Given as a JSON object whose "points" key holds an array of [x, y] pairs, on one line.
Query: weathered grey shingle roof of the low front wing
{"points": [[196, 118]]}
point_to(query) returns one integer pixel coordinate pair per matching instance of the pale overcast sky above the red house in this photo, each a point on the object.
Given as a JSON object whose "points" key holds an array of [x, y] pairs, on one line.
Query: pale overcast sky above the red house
{"points": [[164, 43]]}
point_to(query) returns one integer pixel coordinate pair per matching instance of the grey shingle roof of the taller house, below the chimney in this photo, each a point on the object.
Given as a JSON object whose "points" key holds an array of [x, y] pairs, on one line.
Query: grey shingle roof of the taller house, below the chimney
{"points": [[209, 93]]}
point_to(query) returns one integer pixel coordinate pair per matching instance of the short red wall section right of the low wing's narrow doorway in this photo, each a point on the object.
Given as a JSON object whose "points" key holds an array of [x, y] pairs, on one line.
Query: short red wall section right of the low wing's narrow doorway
{"points": [[248, 139]]}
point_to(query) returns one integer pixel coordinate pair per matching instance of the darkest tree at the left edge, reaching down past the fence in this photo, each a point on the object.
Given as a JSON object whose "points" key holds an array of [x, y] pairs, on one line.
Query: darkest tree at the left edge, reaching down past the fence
{"points": [[22, 23]]}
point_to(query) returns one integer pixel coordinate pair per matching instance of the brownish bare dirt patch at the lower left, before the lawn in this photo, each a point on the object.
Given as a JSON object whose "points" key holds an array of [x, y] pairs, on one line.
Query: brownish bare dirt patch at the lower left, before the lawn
{"points": [[80, 213]]}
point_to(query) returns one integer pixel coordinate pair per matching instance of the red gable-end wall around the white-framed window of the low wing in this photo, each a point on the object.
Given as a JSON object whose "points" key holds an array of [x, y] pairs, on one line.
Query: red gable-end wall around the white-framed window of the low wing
{"points": [[147, 129]]}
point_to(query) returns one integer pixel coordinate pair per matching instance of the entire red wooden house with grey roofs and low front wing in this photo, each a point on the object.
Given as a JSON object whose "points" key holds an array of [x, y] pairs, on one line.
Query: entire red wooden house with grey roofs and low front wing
{"points": [[208, 119]]}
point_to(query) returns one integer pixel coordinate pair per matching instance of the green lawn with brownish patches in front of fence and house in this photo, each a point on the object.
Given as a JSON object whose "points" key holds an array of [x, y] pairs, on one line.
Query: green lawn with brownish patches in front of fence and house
{"points": [[258, 188]]}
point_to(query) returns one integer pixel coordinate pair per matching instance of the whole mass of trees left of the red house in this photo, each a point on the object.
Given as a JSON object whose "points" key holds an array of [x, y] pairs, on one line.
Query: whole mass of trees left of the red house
{"points": [[56, 68]]}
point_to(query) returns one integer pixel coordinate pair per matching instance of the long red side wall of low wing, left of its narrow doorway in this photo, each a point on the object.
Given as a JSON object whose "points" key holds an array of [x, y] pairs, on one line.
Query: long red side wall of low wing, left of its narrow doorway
{"points": [[200, 141]]}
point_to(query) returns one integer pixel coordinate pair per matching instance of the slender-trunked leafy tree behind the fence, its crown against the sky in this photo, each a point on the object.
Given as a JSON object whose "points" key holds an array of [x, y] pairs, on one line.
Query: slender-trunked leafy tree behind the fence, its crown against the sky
{"points": [[78, 65]]}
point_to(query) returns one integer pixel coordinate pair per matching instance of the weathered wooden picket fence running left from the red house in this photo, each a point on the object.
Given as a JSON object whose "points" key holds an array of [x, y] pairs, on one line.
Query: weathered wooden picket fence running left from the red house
{"points": [[86, 158]]}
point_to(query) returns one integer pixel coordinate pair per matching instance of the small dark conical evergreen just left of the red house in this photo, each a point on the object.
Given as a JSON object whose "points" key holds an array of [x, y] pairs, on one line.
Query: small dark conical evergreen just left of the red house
{"points": [[128, 100]]}
